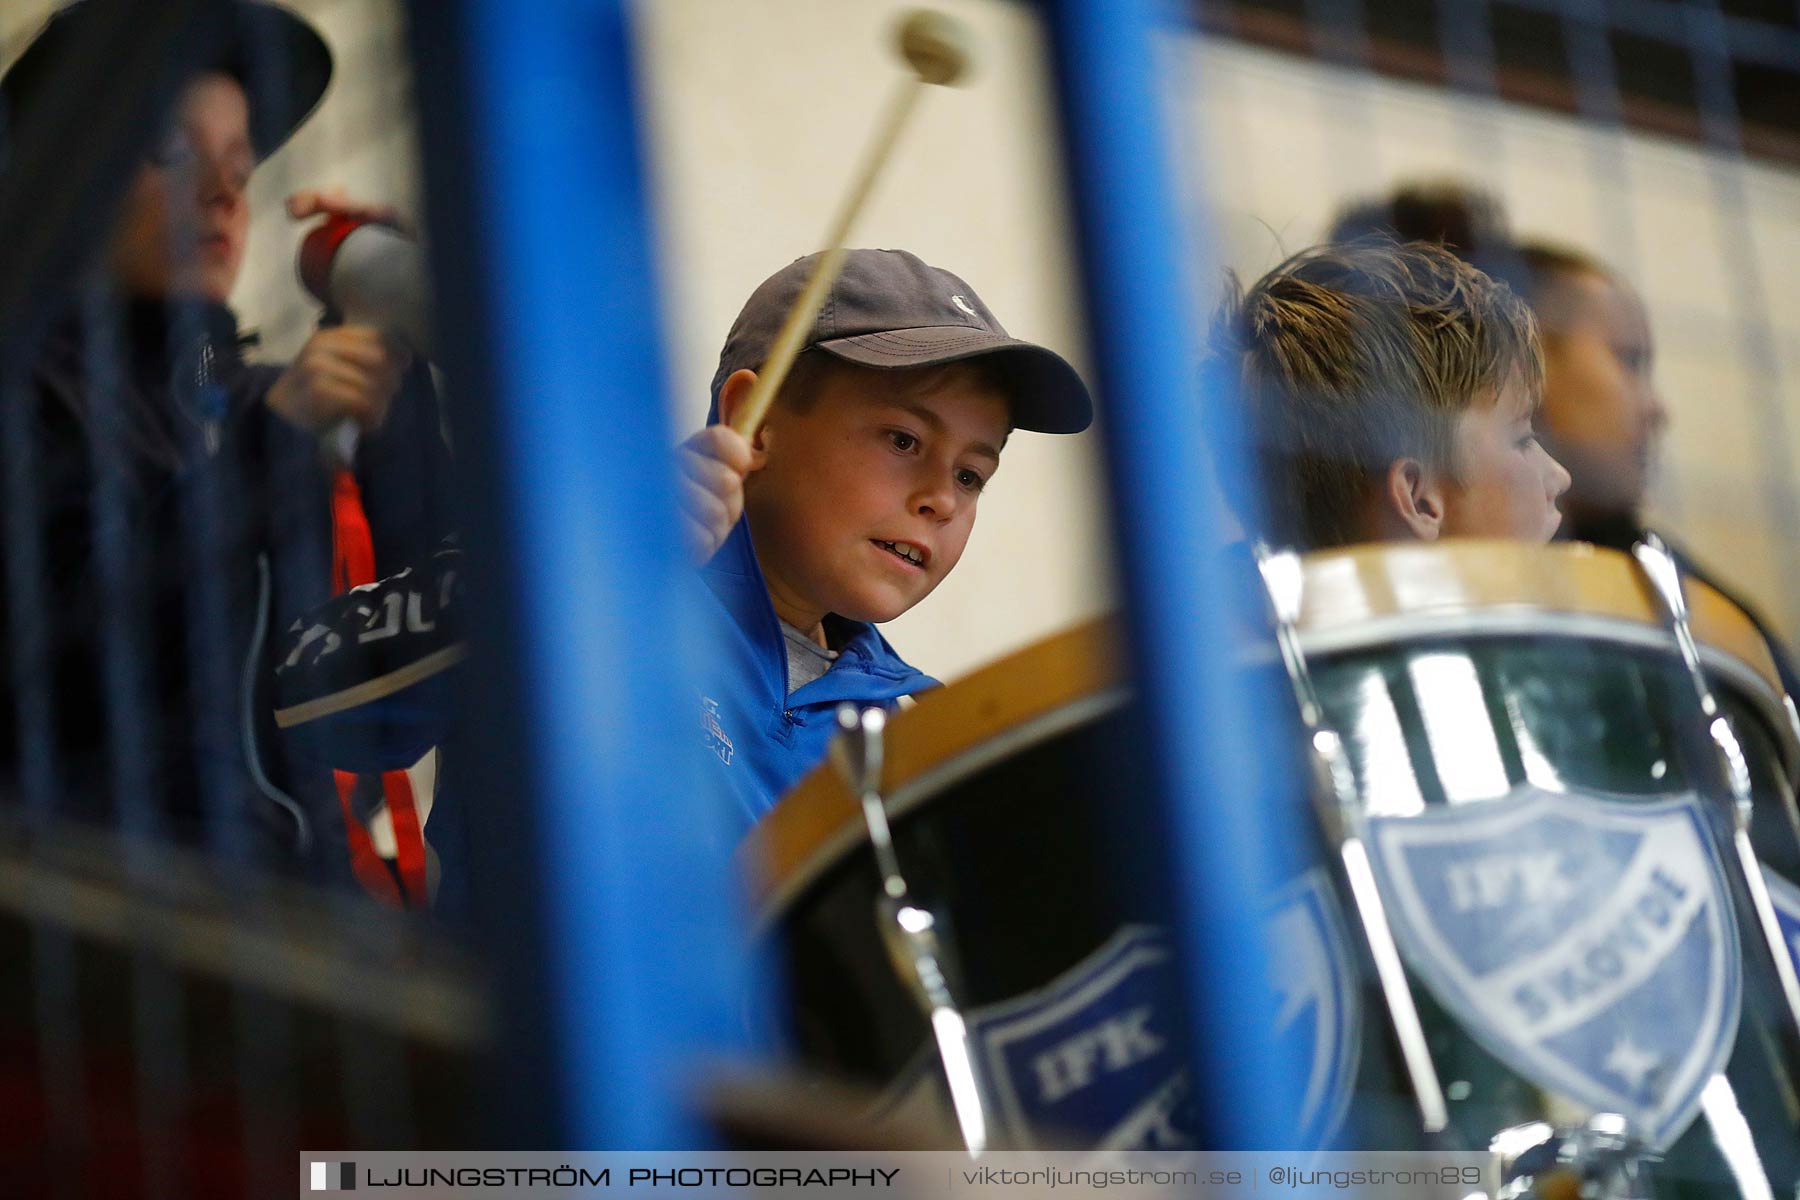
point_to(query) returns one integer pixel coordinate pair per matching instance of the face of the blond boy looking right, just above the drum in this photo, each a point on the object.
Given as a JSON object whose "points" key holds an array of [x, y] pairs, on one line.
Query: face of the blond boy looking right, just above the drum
{"points": [[1507, 485]]}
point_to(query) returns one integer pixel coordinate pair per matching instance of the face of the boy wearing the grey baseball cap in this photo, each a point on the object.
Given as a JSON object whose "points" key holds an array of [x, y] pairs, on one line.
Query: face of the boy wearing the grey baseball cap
{"points": [[868, 496]]}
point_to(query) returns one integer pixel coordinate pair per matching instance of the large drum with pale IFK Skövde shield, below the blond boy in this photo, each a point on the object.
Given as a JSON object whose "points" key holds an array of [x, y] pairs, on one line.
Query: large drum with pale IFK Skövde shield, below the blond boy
{"points": [[1542, 810]]}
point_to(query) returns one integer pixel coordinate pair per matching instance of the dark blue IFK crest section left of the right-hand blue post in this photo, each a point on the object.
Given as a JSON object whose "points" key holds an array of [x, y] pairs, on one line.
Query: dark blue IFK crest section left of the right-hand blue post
{"points": [[1093, 1052]]}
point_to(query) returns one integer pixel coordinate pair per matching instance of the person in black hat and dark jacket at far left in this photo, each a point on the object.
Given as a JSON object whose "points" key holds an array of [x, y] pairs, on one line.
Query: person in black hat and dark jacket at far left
{"points": [[170, 503]]}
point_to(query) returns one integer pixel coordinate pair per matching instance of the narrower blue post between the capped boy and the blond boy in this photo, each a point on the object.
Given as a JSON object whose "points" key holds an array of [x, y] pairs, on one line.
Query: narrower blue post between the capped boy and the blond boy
{"points": [[1230, 834]]}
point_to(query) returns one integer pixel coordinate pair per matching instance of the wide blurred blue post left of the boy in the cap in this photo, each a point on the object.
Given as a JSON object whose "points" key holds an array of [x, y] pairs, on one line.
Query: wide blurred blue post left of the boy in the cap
{"points": [[582, 710]]}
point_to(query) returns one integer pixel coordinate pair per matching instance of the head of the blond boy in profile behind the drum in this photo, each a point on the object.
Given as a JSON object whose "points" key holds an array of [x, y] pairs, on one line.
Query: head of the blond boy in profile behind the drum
{"points": [[1392, 393]]}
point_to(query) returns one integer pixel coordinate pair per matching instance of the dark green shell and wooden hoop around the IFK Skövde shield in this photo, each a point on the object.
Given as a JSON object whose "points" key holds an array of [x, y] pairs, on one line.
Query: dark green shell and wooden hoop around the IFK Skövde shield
{"points": [[1453, 704]]}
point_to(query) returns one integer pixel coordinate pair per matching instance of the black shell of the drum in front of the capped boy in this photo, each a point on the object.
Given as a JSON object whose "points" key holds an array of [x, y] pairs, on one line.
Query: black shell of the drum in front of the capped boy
{"points": [[1007, 857]]}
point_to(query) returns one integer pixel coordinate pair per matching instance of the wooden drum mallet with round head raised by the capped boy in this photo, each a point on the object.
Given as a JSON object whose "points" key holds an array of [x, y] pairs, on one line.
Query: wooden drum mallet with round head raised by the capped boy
{"points": [[937, 49]]}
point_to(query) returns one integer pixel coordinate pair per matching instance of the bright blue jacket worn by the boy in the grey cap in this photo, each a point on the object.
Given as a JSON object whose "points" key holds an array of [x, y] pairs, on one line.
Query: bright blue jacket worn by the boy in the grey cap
{"points": [[762, 739]]}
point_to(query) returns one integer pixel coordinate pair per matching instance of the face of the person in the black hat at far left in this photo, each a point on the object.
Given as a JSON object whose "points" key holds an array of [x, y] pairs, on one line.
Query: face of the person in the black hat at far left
{"points": [[186, 219]]}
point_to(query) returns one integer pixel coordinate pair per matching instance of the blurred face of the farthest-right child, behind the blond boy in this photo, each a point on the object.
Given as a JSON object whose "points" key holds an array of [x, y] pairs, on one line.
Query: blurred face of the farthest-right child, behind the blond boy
{"points": [[1601, 407]]}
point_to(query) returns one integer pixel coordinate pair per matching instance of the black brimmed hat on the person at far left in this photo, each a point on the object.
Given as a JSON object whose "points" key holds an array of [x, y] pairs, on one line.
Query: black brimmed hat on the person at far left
{"points": [[280, 60]]}
